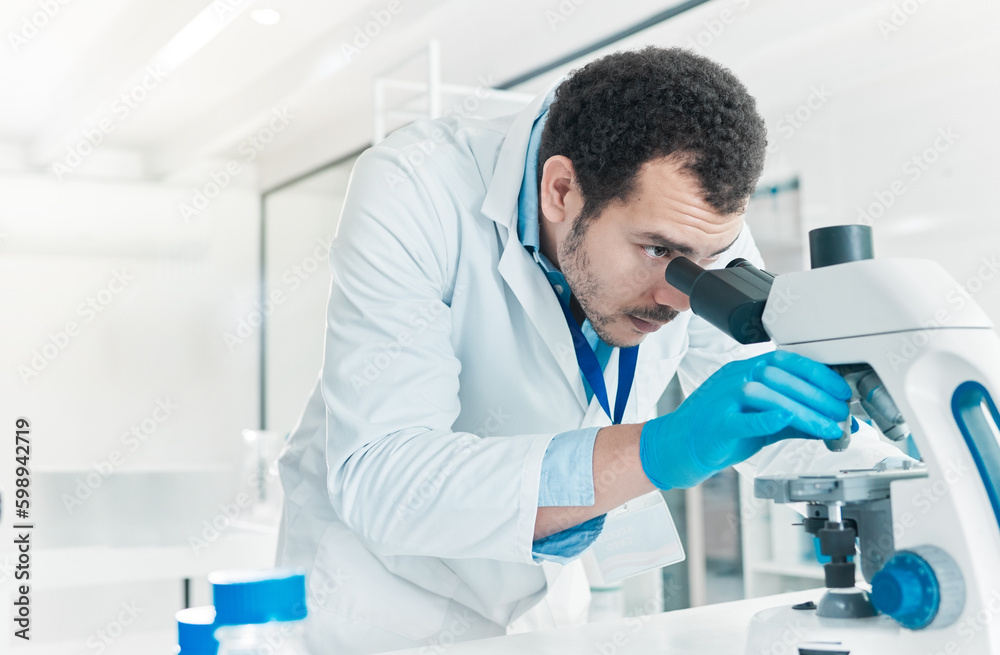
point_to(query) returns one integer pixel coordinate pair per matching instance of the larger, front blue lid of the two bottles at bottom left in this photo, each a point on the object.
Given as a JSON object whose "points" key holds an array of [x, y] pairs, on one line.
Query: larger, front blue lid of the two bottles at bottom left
{"points": [[258, 596]]}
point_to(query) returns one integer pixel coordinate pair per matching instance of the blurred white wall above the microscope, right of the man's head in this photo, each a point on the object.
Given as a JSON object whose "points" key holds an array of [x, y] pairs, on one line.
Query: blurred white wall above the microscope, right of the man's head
{"points": [[855, 157]]}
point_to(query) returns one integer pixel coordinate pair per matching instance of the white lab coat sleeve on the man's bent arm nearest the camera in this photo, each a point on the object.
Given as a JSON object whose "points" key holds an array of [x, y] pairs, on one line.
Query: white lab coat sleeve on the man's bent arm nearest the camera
{"points": [[398, 475]]}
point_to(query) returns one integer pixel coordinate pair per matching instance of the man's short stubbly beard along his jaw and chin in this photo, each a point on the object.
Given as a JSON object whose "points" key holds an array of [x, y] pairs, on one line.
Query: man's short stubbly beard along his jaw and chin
{"points": [[589, 290]]}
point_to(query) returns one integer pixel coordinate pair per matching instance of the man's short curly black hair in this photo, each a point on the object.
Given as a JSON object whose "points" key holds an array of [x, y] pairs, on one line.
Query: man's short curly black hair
{"points": [[619, 112]]}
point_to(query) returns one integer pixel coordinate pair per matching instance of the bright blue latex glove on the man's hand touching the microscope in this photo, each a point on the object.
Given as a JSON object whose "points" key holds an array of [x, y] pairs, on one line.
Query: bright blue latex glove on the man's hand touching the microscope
{"points": [[743, 407]]}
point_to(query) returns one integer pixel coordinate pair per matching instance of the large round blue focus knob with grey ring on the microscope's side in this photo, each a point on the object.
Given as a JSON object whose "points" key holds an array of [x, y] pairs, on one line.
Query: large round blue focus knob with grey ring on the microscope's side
{"points": [[919, 587]]}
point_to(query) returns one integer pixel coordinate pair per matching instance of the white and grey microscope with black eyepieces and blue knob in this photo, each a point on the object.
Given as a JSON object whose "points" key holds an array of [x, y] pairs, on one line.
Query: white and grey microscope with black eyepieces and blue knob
{"points": [[924, 364]]}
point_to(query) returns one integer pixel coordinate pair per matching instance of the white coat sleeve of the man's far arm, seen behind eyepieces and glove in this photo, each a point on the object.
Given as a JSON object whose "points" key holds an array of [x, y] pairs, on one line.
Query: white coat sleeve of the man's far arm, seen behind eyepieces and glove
{"points": [[709, 349]]}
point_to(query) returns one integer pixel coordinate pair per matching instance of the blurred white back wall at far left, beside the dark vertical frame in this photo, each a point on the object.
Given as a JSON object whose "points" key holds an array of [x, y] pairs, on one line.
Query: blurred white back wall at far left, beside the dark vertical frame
{"points": [[160, 338]]}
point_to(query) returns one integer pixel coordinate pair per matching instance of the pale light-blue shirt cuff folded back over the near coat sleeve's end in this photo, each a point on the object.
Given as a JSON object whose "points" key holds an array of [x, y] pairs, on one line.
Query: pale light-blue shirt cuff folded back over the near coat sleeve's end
{"points": [[567, 478]]}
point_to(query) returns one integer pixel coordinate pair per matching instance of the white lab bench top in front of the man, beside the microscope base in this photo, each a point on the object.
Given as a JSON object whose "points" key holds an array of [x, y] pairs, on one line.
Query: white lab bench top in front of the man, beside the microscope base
{"points": [[713, 629]]}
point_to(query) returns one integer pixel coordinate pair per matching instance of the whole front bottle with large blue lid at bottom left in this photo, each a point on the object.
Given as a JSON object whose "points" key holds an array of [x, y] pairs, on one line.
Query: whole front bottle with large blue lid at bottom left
{"points": [[260, 612]]}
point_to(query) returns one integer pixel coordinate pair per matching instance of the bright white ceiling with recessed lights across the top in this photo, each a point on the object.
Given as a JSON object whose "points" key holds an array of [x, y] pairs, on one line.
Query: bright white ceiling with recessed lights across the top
{"points": [[201, 78]]}
